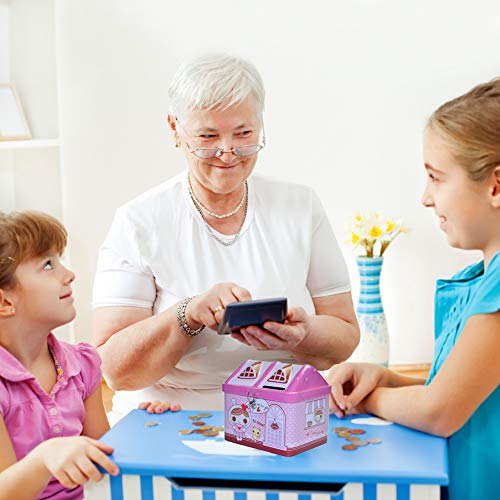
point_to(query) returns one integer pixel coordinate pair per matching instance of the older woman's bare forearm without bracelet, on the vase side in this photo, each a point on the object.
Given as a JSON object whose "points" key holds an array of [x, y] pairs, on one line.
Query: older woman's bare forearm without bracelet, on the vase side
{"points": [[330, 341]]}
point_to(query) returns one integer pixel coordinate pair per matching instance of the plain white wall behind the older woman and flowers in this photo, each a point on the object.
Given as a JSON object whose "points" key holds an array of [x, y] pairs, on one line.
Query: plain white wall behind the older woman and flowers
{"points": [[349, 86]]}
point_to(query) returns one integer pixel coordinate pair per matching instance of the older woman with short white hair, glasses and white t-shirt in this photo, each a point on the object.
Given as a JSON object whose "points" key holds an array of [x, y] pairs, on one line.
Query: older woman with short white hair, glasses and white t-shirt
{"points": [[215, 234]]}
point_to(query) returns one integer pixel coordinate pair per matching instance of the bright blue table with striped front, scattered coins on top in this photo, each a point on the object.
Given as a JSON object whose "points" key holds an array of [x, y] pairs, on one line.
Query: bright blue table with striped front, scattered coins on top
{"points": [[404, 457]]}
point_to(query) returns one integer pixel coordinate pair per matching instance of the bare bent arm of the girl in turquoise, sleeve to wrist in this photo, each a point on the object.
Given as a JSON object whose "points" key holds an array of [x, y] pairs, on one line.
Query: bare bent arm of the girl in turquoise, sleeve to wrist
{"points": [[468, 376]]}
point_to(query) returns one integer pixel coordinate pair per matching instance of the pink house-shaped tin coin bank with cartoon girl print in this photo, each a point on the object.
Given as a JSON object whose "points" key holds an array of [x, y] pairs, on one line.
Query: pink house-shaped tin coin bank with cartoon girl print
{"points": [[277, 407]]}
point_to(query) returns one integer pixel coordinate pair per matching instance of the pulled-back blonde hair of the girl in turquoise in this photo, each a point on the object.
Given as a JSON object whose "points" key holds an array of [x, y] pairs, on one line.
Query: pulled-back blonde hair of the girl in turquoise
{"points": [[470, 125]]}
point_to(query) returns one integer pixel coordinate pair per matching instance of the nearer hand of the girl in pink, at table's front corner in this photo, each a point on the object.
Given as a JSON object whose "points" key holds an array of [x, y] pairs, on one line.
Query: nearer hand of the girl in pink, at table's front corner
{"points": [[70, 459]]}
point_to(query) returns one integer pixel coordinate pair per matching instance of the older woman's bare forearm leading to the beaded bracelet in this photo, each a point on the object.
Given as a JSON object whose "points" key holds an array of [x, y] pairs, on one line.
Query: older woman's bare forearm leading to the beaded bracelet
{"points": [[142, 353]]}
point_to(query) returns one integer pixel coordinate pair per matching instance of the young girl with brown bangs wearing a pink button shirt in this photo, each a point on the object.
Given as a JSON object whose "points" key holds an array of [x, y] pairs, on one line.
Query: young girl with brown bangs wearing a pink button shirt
{"points": [[51, 409]]}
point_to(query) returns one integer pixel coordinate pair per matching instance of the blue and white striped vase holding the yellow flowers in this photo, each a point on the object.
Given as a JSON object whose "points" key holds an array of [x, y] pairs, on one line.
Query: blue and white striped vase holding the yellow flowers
{"points": [[374, 342]]}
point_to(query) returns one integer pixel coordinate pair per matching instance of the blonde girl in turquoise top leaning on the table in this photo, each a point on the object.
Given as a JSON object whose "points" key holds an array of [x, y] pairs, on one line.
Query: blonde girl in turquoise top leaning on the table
{"points": [[461, 398]]}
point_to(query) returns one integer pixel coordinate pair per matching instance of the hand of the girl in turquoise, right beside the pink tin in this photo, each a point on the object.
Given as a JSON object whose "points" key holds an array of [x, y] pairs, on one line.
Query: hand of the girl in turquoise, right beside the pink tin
{"points": [[351, 383]]}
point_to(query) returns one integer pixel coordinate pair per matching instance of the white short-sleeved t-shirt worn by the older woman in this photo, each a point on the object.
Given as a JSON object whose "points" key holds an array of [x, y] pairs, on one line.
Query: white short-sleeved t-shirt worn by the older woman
{"points": [[159, 251]]}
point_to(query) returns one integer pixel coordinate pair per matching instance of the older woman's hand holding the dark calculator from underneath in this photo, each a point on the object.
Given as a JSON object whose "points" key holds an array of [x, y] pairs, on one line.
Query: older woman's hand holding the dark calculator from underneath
{"points": [[277, 336]]}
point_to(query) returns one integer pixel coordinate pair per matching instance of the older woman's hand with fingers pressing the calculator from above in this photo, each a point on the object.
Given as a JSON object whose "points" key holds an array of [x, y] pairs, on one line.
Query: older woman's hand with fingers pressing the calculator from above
{"points": [[208, 308]]}
